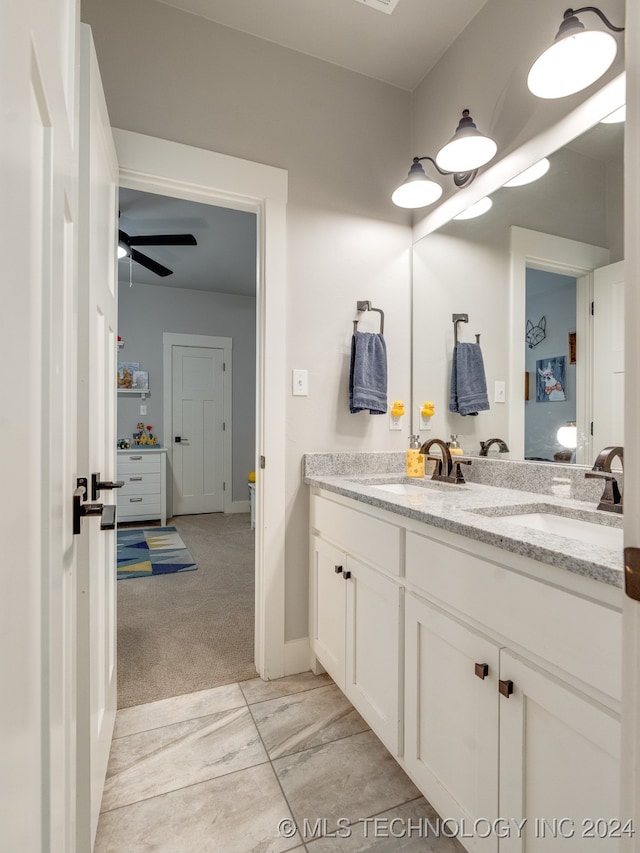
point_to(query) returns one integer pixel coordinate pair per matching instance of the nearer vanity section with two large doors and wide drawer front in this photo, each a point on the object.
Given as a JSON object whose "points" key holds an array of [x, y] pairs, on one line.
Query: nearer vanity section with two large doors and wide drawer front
{"points": [[512, 698]]}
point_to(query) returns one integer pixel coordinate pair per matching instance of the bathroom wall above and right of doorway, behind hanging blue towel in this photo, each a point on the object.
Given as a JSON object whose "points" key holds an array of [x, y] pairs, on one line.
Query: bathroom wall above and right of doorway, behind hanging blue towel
{"points": [[344, 140]]}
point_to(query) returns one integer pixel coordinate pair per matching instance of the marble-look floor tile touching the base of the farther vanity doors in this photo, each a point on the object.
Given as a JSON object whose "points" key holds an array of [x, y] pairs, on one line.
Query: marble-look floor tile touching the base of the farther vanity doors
{"points": [[303, 720]]}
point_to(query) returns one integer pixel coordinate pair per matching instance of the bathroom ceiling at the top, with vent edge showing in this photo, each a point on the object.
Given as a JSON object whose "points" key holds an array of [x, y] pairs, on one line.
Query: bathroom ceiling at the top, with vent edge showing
{"points": [[398, 48]]}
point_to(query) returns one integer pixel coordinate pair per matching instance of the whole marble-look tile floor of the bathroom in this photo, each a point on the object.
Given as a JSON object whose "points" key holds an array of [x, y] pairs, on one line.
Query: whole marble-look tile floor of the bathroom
{"points": [[258, 766]]}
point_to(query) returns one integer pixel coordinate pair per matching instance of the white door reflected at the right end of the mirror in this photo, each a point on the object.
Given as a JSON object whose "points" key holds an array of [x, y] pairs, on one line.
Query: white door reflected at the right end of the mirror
{"points": [[608, 356]]}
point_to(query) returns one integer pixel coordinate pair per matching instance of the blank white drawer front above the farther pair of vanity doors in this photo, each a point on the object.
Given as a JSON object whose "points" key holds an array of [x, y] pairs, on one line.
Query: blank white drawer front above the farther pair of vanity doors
{"points": [[364, 536]]}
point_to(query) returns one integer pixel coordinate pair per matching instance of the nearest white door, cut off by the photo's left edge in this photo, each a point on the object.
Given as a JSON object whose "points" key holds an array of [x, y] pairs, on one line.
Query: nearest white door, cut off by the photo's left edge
{"points": [[38, 216]]}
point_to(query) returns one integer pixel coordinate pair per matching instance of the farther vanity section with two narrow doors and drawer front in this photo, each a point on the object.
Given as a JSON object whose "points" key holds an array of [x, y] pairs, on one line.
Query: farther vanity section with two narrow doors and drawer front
{"points": [[356, 626]]}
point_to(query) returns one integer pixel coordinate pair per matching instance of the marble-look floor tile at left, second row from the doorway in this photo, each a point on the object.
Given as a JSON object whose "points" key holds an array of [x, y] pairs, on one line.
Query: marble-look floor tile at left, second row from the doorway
{"points": [[150, 763]]}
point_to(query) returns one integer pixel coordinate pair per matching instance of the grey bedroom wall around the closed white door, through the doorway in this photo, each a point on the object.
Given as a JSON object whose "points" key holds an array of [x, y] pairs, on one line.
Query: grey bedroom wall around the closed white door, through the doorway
{"points": [[146, 311]]}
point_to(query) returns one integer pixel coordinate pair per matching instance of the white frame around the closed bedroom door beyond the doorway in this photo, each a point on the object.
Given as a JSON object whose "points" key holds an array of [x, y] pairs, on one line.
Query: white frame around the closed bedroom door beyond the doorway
{"points": [[175, 339]]}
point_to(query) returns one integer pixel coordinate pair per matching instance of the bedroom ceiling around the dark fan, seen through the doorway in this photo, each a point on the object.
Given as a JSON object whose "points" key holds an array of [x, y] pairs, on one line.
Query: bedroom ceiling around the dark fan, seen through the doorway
{"points": [[224, 261]]}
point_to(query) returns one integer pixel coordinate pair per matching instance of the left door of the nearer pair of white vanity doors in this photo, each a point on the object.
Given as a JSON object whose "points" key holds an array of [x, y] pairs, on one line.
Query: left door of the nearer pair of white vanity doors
{"points": [[451, 716]]}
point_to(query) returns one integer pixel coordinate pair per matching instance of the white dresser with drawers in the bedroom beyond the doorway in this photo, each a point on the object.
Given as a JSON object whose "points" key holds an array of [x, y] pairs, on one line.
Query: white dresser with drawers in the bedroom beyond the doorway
{"points": [[144, 494]]}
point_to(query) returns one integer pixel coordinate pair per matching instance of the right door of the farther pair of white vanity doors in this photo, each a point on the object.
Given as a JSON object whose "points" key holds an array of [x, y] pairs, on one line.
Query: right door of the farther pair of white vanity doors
{"points": [[373, 650]]}
